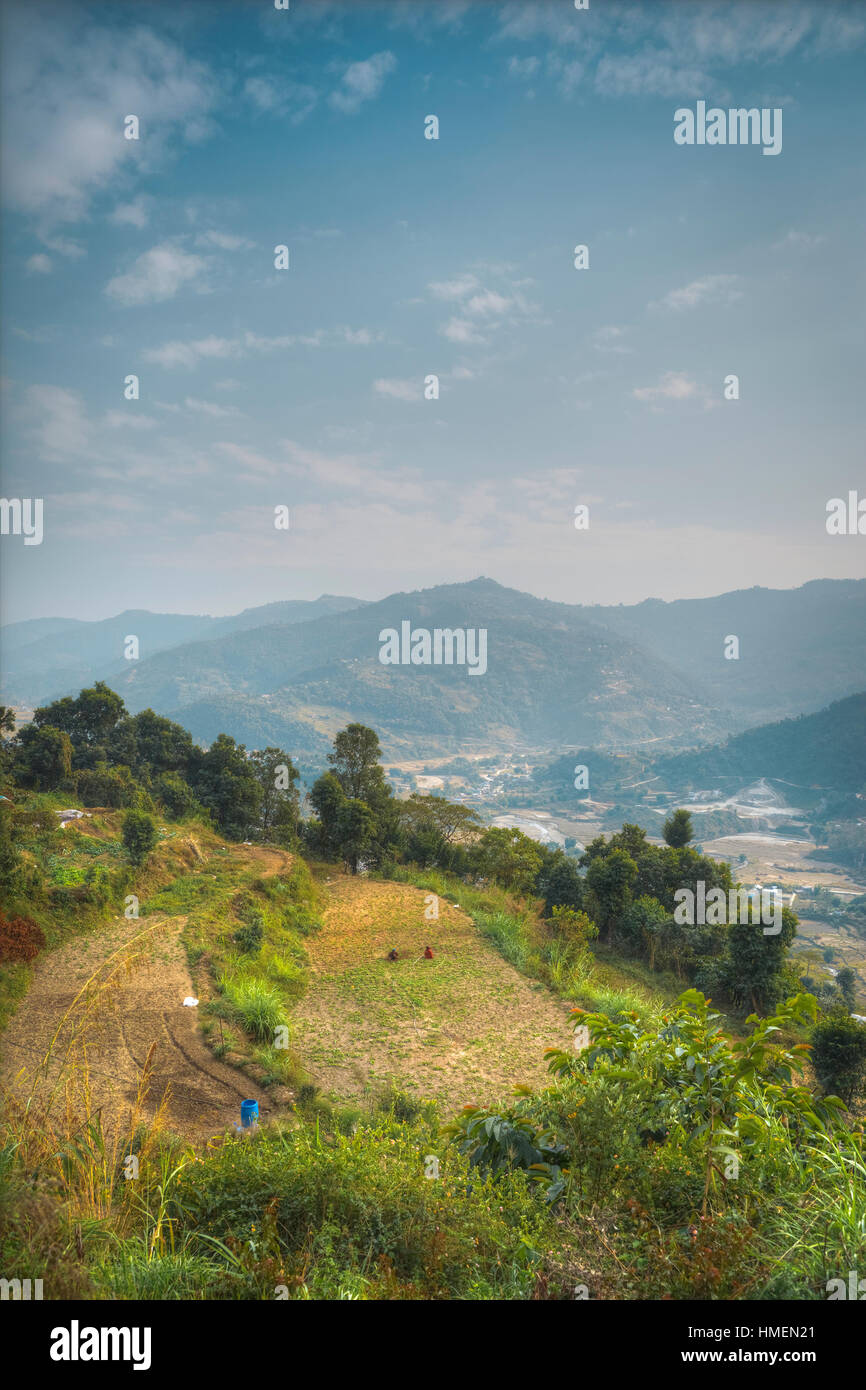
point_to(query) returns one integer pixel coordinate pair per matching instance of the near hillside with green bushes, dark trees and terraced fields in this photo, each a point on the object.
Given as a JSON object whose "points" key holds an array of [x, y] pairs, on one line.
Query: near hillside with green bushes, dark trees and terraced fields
{"points": [[651, 1146]]}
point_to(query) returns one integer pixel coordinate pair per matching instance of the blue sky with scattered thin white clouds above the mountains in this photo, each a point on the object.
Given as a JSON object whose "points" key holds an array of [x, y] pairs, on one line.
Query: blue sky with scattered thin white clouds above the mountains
{"points": [[409, 258]]}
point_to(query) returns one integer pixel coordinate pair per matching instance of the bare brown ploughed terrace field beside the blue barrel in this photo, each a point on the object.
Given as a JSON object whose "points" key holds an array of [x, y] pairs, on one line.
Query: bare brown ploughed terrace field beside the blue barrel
{"points": [[99, 1004]]}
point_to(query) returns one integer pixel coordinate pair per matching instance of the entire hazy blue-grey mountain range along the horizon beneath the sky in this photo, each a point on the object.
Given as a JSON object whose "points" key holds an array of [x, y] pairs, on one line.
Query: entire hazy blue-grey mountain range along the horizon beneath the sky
{"points": [[558, 675]]}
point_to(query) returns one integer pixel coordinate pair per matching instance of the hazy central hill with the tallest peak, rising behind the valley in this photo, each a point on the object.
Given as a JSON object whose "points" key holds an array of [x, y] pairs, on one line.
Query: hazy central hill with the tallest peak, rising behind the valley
{"points": [[553, 676]]}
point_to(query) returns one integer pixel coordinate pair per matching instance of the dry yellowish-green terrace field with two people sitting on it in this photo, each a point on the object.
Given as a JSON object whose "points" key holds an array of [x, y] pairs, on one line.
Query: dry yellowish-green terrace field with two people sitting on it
{"points": [[464, 1028]]}
